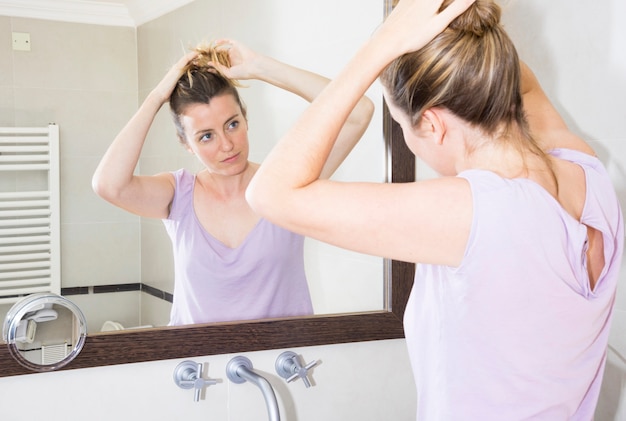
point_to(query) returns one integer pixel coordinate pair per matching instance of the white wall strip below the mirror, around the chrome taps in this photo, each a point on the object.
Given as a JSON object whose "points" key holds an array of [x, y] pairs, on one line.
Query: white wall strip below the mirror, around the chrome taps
{"points": [[364, 381]]}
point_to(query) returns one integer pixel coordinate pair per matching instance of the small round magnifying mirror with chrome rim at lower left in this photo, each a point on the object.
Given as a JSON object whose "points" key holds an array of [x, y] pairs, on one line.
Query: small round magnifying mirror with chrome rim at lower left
{"points": [[44, 331]]}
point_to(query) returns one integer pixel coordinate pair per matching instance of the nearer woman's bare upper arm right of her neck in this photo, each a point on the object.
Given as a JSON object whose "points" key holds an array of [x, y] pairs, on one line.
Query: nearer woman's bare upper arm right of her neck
{"points": [[545, 122]]}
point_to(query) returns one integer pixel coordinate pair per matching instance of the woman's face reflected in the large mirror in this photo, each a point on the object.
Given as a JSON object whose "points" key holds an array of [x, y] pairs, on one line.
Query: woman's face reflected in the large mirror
{"points": [[217, 133]]}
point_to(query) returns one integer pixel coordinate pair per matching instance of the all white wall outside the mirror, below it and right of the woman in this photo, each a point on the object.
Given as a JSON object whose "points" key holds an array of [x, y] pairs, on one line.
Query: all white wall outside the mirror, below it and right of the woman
{"points": [[579, 54]]}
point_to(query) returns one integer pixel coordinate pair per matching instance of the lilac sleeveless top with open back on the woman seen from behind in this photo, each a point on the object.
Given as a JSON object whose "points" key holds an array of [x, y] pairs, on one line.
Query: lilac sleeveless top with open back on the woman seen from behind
{"points": [[515, 332]]}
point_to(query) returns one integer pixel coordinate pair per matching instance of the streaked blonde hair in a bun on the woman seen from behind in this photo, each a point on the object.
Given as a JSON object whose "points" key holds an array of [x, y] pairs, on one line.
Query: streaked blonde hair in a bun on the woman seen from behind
{"points": [[473, 70]]}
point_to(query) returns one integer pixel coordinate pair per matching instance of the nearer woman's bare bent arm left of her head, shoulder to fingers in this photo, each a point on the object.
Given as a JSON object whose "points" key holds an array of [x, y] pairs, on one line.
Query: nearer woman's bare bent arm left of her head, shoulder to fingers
{"points": [[425, 222]]}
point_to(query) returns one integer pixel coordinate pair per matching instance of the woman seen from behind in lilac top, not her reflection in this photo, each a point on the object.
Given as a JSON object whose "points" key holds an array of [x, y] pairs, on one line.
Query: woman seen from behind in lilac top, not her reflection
{"points": [[517, 245]]}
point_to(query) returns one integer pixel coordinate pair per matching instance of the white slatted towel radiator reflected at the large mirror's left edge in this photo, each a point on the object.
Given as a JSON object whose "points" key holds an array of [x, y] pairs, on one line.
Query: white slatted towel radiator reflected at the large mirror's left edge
{"points": [[30, 245]]}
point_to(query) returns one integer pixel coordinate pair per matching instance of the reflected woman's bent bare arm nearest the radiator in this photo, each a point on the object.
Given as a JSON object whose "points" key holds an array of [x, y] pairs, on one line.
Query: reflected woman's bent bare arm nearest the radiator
{"points": [[114, 179]]}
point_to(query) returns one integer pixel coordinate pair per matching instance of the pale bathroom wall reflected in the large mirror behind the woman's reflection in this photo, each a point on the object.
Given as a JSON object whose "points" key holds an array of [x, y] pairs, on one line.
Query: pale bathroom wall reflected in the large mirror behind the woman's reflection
{"points": [[117, 267]]}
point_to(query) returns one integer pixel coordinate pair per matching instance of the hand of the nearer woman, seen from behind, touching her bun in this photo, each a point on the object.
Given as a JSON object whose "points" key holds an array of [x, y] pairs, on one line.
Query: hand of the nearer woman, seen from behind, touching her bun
{"points": [[414, 23]]}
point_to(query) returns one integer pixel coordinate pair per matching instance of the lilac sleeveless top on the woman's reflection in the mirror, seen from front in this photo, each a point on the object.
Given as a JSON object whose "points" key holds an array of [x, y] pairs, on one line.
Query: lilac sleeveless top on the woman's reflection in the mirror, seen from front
{"points": [[262, 278]]}
